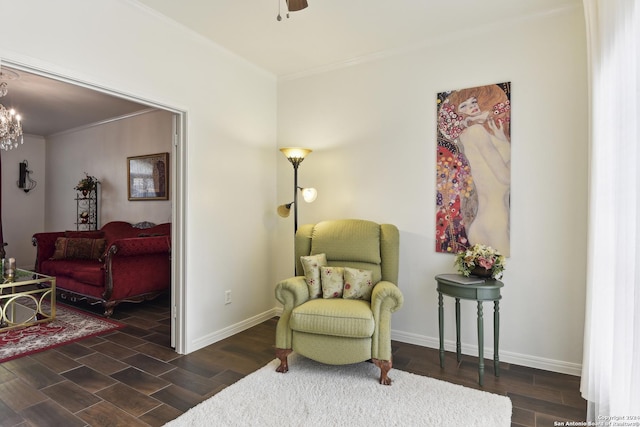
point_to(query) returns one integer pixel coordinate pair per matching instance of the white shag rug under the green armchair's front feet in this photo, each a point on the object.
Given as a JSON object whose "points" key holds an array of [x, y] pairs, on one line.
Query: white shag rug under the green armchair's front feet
{"points": [[313, 394]]}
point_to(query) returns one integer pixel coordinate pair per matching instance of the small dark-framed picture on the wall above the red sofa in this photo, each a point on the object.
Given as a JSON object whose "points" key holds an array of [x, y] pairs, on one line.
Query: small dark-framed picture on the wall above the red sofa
{"points": [[148, 177]]}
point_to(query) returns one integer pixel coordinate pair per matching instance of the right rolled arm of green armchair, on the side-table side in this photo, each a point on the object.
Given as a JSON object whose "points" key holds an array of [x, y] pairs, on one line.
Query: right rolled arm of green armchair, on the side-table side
{"points": [[385, 299]]}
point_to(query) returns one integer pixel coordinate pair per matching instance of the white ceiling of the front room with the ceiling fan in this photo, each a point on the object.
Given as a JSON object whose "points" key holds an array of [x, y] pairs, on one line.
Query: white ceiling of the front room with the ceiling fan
{"points": [[332, 32]]}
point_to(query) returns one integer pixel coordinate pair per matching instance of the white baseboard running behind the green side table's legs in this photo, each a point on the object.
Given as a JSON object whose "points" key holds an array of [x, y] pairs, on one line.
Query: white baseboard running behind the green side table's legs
{"points": [[505, 356]]}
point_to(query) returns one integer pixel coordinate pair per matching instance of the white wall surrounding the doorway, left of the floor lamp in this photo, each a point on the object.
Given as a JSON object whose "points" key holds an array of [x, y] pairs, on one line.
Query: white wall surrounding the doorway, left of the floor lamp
{"points": [[230, 147]]}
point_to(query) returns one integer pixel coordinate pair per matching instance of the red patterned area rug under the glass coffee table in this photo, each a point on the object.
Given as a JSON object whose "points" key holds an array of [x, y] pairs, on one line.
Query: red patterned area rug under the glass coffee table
{"points": [[69, 325]]}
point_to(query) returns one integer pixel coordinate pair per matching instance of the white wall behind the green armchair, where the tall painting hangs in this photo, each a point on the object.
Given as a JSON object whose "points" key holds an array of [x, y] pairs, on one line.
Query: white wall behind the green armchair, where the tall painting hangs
{"points": [[372, 129]]}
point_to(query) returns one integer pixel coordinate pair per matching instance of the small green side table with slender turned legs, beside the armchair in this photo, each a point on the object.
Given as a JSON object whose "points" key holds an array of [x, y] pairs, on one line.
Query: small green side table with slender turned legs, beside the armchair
{"points": [[477, 289]]}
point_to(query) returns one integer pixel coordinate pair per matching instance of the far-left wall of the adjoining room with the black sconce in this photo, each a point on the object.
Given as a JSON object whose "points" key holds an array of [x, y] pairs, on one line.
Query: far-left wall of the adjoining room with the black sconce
{"points": [[23, 213]]}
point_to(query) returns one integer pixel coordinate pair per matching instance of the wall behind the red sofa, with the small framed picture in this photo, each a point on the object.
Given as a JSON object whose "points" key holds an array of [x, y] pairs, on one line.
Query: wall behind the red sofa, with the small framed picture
{"points": [[102, 151]]}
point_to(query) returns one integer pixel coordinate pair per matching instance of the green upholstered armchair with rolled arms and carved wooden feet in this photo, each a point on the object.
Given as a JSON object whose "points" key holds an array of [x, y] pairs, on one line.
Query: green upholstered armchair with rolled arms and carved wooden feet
{"points": [[340, 331]]}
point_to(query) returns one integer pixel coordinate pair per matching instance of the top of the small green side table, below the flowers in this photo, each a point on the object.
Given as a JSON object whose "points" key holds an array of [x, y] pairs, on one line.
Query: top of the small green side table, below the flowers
{"points": [[473, 288]]}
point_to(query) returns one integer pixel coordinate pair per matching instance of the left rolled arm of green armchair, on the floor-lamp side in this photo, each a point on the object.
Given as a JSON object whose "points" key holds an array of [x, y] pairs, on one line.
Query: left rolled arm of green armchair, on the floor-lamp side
{"points": [[291, 293]]}
